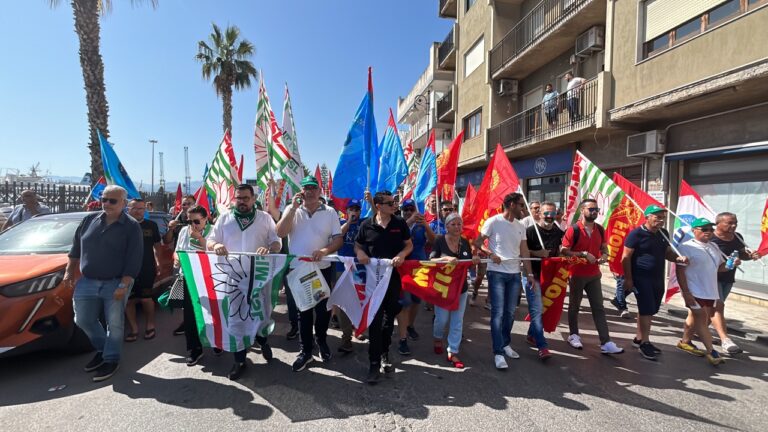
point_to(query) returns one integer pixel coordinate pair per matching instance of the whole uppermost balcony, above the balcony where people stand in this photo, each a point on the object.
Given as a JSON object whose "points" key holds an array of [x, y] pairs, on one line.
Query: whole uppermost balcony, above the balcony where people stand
{"points": [[544, 34]]}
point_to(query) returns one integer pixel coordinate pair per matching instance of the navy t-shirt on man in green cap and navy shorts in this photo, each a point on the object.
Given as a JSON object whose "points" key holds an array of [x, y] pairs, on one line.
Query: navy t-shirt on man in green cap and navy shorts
{"points": [[650, 250]]}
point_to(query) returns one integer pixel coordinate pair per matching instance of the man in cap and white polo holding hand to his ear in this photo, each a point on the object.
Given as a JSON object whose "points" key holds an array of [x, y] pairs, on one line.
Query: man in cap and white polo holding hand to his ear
{"points": [[313, 230]]}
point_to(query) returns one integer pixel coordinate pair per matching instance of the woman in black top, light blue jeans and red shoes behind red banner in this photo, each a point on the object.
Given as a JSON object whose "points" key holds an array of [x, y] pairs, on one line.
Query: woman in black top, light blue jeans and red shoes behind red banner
{"points": [[450, 248]]}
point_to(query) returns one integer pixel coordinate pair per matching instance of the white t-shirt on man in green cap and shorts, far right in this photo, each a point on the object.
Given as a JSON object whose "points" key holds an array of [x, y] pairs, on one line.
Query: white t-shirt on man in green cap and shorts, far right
{"points": [[701, 272]]}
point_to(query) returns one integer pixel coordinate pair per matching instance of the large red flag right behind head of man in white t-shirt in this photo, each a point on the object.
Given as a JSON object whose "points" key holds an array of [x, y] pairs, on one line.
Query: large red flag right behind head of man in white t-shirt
{"points": [[499, 180]]}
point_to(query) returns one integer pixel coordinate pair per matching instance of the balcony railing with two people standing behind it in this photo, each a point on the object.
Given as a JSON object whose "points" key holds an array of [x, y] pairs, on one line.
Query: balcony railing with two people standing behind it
{"points": [[571, 111]]}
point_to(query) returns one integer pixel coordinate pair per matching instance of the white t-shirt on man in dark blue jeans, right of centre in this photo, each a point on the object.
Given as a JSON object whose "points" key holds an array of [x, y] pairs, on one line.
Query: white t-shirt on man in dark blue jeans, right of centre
{"points": [[504, 239]]}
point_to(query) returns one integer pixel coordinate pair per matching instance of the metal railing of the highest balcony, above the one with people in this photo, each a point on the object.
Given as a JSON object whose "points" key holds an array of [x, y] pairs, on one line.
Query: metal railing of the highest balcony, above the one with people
{"points": [[543, 17]]}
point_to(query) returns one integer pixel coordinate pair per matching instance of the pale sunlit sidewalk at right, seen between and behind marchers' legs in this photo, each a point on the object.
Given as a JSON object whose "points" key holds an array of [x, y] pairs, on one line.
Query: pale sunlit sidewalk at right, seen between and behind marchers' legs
{"points": [[745, 320]]}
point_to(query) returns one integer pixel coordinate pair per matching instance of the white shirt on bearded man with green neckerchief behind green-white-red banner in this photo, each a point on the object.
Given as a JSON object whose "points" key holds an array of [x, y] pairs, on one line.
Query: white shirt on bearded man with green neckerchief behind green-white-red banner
{"points": [[261, 233]]}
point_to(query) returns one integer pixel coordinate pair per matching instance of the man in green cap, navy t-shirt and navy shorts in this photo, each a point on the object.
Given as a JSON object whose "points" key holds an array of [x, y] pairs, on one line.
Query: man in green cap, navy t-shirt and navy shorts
{"points": [[645, 250]]}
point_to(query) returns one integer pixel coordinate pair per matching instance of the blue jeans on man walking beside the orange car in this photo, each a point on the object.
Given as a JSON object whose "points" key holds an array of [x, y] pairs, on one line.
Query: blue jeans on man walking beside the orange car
{"points": [[91, 297]]}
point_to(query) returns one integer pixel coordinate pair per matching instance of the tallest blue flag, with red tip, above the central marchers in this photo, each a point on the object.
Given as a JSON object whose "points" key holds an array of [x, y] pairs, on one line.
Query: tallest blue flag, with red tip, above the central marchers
{"points": [[359, 156]]}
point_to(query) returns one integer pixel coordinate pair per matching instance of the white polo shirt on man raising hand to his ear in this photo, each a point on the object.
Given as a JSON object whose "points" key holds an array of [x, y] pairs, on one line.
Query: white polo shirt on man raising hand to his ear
{"points": [[311, 232]]}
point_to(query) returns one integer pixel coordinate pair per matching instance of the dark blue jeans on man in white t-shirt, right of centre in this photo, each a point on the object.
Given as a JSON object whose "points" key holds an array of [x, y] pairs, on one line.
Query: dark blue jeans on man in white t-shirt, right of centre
{"points": [[504, 289]]}
